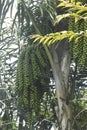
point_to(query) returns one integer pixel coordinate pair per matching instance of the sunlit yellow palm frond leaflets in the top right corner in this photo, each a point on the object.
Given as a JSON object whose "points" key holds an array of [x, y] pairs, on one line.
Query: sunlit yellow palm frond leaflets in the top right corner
{"points": [[76, 10]]}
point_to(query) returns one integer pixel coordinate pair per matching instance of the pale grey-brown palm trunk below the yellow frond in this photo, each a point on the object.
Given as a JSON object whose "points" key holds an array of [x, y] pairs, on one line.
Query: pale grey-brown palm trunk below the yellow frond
{"points": [[61, 60]]}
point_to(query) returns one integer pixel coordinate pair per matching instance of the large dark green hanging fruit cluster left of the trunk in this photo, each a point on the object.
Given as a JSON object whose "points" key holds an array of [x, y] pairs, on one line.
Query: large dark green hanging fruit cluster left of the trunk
{"points": [[32, 80]]}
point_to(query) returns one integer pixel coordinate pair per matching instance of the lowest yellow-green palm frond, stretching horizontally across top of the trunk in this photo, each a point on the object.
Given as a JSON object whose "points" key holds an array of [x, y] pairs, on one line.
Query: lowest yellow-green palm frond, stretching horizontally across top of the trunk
{"points": [[52, 38]]}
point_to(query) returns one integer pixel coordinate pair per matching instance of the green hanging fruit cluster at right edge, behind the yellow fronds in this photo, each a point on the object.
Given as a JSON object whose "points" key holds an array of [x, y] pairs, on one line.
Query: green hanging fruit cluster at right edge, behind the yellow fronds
{"points": [[79, 48]]}
